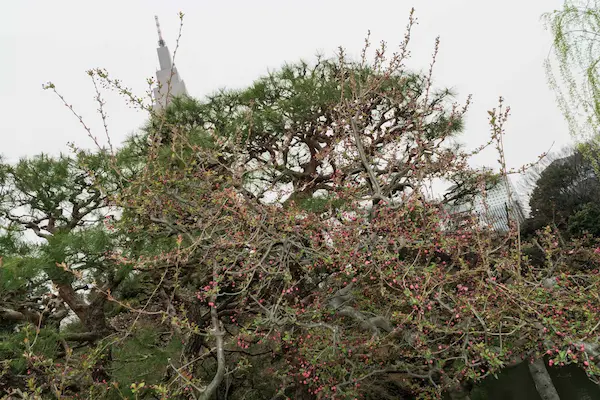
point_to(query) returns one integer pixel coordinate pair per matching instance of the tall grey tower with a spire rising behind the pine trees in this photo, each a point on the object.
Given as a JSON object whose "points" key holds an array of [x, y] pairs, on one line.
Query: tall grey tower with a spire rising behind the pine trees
{"points": [[168, 80]]}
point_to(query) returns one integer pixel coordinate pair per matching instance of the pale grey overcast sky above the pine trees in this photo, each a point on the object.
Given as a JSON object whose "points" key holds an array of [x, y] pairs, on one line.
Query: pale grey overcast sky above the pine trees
{"points": [[488, 49]]}
